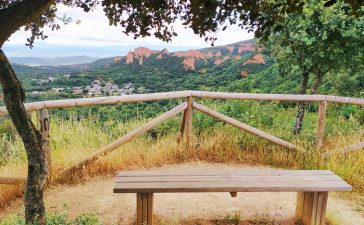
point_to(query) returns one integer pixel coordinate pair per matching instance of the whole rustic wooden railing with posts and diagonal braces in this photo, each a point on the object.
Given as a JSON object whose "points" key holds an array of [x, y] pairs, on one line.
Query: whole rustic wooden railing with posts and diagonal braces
{"points": [[186, 124]]}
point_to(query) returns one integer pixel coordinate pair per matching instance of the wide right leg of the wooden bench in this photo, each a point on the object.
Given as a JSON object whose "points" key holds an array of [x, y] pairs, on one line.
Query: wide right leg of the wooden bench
{"points": [[311, 207]]}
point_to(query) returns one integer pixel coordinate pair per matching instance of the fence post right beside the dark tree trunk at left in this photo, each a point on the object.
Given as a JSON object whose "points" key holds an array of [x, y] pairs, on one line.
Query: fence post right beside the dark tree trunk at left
{"points": [[44, 128]]}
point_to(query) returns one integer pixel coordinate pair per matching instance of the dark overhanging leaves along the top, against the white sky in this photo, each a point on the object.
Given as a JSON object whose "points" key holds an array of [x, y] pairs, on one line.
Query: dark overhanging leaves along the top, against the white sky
{"points": [[155, 17]]}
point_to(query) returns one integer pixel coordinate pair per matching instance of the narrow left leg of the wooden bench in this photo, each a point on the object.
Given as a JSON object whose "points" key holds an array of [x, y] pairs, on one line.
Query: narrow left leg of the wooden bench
{"points": [[145, 209]]}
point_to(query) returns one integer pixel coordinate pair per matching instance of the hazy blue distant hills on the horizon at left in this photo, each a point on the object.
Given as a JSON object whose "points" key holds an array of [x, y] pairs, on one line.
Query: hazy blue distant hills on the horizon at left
{"points": [[33, 61]]}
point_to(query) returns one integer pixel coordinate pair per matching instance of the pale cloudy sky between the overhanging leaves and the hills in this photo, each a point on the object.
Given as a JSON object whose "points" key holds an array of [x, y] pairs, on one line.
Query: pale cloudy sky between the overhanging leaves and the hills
{"points": [[94, 37]]}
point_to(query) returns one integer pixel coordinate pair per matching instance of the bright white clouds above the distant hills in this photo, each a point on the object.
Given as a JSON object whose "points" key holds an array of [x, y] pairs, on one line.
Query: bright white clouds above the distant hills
{"points": [[94, 30]]}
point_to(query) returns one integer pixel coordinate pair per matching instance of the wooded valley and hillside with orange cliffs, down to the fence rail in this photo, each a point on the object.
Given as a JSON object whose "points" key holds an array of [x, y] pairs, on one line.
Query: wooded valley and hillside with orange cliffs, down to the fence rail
{"points": [[236, 67]]}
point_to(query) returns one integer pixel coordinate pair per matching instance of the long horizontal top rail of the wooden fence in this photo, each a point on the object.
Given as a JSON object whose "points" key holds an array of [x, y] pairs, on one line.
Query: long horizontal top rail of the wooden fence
{"points": [[78, 102]]}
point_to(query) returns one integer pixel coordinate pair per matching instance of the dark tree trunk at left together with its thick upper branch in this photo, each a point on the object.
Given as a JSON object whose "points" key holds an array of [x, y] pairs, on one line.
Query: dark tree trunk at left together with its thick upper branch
{"points": [[13, 17]]}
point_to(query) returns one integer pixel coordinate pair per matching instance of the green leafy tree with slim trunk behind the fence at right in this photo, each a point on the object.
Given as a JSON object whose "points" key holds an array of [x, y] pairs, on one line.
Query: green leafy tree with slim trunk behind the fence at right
{"points": [[323, 39]]}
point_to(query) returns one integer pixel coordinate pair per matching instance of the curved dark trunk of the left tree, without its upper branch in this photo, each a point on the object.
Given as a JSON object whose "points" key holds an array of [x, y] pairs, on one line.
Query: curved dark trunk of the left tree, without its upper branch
{"points": [[37, 166]]}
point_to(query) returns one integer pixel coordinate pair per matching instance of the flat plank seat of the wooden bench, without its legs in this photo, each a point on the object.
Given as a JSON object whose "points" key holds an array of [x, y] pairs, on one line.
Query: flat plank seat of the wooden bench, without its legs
{"points": [[233, 180]]}
